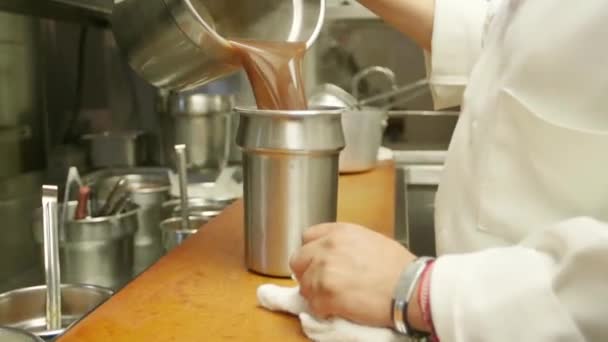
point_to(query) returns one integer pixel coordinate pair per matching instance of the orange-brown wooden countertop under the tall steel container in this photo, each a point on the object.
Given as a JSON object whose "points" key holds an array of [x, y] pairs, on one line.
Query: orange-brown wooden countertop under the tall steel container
{"points": [[202, 291]]}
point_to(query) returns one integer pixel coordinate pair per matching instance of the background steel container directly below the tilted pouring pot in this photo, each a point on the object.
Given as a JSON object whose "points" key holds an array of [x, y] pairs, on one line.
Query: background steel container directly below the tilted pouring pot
{"points": [[202, 123]]}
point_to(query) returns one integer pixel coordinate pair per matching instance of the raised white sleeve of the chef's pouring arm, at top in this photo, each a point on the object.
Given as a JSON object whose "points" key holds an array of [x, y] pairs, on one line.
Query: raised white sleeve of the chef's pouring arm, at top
{"points": [[456, 45]]}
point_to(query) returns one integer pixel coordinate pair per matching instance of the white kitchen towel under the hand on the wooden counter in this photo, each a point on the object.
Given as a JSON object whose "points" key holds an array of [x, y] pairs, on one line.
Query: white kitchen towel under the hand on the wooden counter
{"points": [[288, 299]]}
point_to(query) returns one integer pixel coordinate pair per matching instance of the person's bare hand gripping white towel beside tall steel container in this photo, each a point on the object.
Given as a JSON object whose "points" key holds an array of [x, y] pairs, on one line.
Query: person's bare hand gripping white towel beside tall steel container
{"points": [[349, 271]]}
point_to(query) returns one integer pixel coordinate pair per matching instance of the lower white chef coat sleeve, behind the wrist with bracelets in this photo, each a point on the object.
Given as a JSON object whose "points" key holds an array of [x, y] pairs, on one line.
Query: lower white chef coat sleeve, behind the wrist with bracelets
{"points": [[551, 287]]}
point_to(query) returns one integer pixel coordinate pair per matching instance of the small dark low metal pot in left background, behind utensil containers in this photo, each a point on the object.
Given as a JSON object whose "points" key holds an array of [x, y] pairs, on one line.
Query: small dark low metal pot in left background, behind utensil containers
{"points": [[116, 149]]}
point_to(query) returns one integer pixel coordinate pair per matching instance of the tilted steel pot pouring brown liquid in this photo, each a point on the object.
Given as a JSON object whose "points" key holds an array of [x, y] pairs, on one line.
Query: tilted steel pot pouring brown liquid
{"points": [[177, 44]]}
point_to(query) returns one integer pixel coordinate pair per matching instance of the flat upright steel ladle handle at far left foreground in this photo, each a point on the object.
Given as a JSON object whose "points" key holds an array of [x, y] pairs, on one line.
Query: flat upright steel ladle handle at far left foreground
{"points": [[51, 256]]}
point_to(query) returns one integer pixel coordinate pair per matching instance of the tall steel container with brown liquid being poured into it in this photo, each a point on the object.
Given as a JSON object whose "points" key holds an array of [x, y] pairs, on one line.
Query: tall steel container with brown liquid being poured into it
{"points": [[290, 165]]}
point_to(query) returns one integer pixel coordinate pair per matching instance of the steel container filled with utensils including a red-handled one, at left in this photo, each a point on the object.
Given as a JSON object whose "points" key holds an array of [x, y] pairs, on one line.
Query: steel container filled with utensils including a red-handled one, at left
{"points": [[96, 251]]}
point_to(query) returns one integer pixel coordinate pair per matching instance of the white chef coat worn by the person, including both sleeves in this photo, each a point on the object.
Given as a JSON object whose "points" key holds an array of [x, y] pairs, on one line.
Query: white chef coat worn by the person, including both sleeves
{"points": [[522, 206]]}
